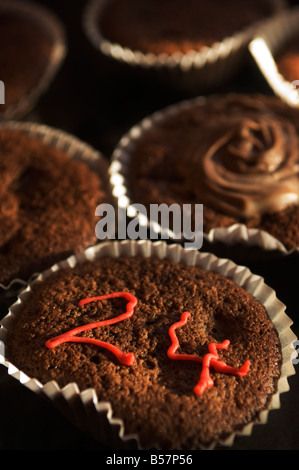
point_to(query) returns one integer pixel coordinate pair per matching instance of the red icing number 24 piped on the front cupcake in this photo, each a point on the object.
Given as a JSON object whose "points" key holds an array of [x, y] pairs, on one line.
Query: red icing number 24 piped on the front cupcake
{"points": [[211, 359]]}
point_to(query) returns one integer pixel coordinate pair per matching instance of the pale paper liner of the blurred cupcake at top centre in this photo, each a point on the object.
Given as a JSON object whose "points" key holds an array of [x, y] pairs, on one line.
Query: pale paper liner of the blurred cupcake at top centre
{"points": [[195, 71]]}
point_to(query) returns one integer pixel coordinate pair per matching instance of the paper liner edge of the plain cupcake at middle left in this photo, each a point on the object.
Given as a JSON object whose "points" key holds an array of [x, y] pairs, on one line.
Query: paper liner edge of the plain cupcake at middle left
{"points": [[73, 147]]}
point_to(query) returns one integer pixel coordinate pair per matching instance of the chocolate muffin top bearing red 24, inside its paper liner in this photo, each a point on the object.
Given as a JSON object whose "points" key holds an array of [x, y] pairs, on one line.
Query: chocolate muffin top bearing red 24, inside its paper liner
{"points": [[165, 401]]}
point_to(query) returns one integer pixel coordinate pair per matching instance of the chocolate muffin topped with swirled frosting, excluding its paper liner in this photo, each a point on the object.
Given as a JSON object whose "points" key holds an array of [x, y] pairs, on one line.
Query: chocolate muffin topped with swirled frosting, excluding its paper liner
{"points": [[235, 154]]}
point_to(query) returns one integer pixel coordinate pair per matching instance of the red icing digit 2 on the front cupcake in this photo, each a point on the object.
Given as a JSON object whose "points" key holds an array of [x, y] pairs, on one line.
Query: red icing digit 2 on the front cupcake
{"points": [[71, 336]]}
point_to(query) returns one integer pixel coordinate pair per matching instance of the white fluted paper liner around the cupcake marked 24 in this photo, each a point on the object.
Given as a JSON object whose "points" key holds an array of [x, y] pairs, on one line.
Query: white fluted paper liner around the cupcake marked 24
{"points": [[95, 417]]}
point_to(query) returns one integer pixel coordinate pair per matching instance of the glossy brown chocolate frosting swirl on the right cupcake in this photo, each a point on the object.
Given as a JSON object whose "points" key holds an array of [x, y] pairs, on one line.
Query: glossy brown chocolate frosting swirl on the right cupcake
{"points": [[245, 162]]}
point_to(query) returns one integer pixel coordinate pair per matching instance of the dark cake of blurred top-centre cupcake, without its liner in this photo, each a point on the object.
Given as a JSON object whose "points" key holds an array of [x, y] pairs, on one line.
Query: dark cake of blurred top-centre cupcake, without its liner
{"points": [[170, 26]]}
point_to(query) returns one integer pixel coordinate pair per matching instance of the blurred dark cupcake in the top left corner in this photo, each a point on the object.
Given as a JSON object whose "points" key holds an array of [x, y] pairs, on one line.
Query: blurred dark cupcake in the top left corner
{"points": [[32, 49]]}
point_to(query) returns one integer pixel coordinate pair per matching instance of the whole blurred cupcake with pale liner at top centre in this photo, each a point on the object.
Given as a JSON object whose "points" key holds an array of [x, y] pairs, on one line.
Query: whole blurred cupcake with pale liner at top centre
{"points": [[192, 45]]}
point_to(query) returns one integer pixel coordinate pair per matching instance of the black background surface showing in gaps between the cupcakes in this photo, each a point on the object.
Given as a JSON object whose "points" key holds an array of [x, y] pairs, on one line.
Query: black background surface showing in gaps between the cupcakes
{"points": [[98, 101]]}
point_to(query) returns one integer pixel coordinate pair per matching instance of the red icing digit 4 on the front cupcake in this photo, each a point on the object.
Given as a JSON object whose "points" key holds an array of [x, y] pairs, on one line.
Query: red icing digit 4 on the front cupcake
{"points": [[210, 359]]}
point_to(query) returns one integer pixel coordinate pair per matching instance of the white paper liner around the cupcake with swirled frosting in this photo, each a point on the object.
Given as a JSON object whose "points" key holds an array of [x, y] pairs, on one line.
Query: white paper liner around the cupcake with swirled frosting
{"points": [[120, 187]]}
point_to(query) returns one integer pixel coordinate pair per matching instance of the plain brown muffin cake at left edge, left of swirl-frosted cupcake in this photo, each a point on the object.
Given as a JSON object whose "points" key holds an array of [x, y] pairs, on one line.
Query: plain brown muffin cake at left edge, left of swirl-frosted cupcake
{"points": [[47, 207]]}
